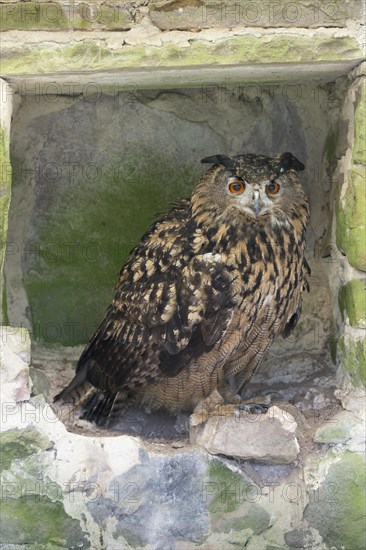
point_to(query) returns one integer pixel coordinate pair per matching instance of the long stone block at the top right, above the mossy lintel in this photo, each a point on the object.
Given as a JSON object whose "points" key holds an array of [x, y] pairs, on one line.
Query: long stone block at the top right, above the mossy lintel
{"points": [[203, 14]]}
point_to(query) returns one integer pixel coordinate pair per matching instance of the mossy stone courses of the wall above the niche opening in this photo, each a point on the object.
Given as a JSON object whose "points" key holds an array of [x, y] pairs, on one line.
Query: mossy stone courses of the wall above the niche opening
{"points": [[48, 37]]}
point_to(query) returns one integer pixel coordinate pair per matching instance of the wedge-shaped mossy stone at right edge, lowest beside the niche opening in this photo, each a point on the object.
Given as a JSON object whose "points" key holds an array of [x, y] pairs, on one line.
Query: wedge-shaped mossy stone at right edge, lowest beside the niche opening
{"points": [[353, 357]]}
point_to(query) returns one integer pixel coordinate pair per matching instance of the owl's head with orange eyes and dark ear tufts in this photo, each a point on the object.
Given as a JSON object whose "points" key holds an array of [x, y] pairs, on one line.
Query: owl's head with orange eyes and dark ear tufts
{"points": [[252, 185]]}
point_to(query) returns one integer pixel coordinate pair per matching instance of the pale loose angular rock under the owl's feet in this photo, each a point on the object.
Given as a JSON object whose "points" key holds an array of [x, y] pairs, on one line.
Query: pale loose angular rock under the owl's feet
{"points": [[267, 438]]}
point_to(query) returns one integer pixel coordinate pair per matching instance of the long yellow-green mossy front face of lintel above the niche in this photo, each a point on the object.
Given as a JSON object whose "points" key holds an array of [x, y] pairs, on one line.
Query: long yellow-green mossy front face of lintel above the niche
{"points": [[91, 55]]}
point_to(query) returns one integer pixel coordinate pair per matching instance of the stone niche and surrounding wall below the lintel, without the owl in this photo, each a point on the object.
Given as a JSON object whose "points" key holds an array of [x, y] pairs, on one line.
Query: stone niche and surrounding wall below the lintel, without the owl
{"points": [[93, 158]]}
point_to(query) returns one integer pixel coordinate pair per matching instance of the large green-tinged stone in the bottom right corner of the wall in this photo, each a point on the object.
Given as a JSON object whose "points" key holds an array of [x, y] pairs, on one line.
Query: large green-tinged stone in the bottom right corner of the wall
{"points": [[337, 508]]}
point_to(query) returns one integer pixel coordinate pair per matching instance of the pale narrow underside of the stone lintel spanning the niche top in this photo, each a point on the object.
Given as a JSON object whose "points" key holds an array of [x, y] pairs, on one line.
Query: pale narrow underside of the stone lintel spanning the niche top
{"points": [[210, 78]]}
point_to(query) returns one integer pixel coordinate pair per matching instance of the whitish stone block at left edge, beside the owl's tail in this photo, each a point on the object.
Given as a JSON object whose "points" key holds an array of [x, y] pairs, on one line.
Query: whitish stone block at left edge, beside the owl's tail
{"points": [[14, 364]]}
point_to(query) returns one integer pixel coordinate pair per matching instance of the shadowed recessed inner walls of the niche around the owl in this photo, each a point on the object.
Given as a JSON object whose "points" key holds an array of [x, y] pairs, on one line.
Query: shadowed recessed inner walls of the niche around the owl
{"points": [[89, 177]]}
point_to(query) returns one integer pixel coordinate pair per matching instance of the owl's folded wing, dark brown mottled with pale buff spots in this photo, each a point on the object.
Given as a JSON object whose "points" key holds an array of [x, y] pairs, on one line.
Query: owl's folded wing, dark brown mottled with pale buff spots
{"points": [[169, 308]]}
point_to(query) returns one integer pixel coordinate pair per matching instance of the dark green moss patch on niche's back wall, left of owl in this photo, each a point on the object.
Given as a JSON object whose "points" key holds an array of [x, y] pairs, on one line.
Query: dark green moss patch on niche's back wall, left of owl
{"points": [[84, 238]]}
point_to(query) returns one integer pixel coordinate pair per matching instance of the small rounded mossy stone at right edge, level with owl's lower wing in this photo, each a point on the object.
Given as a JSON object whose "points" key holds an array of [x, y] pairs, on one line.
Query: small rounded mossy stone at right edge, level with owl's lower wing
{"points": [[352, 299]]}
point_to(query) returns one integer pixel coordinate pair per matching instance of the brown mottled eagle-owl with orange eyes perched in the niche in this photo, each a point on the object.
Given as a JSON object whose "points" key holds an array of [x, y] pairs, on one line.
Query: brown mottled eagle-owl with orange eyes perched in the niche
{"points": [[202, 296]]}
